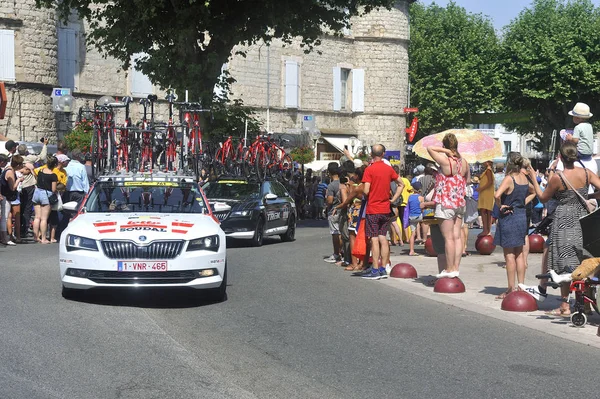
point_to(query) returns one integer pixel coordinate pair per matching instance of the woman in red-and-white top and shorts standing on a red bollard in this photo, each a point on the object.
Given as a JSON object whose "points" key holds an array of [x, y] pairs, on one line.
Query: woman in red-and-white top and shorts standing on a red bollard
{"points": [[449, 198]]}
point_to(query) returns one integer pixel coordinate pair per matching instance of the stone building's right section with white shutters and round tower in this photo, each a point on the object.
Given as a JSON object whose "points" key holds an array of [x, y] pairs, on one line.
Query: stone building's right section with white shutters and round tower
{"points": [[357, 86]]}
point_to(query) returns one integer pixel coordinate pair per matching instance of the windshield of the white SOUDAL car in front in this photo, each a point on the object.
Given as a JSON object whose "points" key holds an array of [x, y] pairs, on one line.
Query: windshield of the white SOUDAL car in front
{"points": [[146, 197]]}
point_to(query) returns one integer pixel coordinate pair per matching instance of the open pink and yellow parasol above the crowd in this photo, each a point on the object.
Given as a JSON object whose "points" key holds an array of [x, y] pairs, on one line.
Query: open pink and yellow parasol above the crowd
{"points": [[473, 145]]}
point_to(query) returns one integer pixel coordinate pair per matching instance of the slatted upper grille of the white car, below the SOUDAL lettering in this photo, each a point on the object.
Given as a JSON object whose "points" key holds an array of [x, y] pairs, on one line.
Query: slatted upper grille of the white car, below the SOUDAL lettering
{"points": [[123, 250]]}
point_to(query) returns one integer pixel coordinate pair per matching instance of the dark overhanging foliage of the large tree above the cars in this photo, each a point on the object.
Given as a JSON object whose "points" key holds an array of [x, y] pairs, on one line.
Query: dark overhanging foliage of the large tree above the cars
{"points": [[186, 42]]}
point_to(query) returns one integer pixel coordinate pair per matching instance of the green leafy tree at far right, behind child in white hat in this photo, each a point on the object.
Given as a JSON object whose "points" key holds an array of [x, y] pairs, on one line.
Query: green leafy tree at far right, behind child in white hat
{"points": [[550, 61]]}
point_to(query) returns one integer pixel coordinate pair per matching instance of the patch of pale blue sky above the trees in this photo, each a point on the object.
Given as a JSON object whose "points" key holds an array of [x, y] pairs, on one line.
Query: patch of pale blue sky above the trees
{"points": [[500, 11]]}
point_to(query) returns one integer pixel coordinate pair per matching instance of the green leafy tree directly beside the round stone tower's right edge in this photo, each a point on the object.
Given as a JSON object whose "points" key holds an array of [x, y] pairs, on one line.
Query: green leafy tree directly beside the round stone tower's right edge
{"points": [[453, 65]]}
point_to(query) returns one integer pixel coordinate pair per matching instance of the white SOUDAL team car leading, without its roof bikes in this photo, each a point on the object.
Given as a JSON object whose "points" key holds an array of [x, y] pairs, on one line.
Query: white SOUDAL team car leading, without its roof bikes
{"points": [[144, 231]]}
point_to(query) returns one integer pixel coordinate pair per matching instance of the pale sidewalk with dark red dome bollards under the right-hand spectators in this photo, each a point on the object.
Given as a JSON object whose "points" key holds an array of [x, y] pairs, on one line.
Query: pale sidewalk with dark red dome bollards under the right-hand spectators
{"points": [[485, 278]]}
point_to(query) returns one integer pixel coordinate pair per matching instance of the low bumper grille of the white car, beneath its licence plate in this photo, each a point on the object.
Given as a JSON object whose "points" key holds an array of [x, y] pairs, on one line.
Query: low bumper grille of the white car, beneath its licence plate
{"points": [[112, 277]]}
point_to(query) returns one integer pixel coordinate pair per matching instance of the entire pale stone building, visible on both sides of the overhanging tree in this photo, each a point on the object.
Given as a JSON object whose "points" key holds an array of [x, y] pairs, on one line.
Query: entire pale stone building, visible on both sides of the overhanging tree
{"points": [[355, 85]]}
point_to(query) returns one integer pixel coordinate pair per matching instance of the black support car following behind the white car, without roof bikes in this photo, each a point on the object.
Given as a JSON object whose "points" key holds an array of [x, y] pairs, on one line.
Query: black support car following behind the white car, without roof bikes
{"points": [[258, 209]]}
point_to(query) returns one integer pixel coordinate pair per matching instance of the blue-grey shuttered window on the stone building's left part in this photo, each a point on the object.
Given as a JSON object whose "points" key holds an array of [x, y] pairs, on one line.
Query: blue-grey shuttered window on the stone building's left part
{"points": [[68, 59]]}
